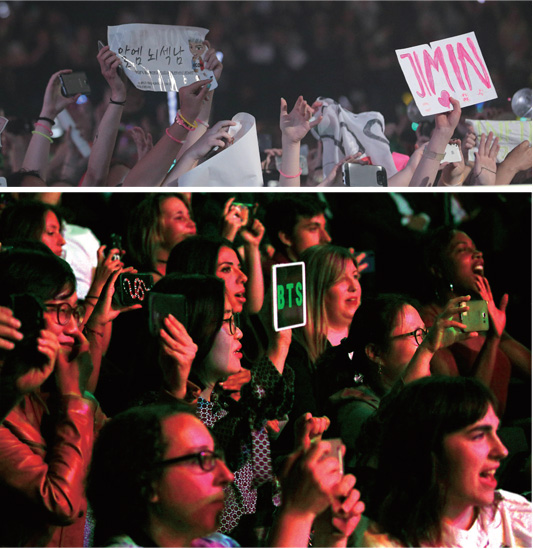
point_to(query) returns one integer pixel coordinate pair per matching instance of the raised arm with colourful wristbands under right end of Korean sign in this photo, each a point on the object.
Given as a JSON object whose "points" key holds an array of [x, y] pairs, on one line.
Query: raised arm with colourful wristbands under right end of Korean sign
{"points": [[153, 167]]}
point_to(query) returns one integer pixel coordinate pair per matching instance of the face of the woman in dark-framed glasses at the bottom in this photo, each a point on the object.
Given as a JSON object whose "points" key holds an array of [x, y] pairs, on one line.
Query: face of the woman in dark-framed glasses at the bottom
{"points": [[188, 500]]}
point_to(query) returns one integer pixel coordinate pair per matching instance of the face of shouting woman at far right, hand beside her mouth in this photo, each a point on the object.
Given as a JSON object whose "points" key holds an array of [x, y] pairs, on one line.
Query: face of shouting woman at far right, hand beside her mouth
{"points": [[464, 263]]}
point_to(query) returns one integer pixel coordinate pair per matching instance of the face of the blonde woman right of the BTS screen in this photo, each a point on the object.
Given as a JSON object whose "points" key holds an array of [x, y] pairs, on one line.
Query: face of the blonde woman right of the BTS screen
{"points": [[344, 297]]}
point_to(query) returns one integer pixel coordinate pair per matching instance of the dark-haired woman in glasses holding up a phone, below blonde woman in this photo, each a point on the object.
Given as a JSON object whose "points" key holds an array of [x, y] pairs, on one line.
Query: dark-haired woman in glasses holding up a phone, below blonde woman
{"points": [[387, 345]]}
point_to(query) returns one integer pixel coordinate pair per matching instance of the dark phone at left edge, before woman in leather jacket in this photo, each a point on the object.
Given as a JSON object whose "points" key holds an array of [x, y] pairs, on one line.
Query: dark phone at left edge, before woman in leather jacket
{"points": [[30, 311]]}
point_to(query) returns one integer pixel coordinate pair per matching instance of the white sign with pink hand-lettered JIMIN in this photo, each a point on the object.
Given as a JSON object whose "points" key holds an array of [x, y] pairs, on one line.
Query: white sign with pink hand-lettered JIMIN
{"points": [[453, 67]]}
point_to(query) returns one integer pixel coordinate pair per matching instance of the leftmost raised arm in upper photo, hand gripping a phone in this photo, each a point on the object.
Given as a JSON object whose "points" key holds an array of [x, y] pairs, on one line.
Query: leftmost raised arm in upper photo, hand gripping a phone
{"points": [[38, 152]]}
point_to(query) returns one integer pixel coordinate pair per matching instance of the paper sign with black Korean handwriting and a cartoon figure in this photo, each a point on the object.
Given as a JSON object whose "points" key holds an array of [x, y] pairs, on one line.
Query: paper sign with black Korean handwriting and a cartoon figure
{"points": [[160, 57]]}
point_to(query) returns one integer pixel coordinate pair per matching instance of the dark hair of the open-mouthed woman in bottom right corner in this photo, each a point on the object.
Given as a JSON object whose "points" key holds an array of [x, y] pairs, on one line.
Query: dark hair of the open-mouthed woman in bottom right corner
{"points": [[410, 487]]}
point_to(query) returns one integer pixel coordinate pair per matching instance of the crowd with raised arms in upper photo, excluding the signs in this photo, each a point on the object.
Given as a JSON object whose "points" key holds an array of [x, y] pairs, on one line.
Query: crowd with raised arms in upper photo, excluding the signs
{"points": [[292, 50]]}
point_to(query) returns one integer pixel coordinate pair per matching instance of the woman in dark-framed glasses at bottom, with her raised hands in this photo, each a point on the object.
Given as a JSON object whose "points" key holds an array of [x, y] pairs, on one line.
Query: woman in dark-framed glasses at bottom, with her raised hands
{"points": [[170, 491]]}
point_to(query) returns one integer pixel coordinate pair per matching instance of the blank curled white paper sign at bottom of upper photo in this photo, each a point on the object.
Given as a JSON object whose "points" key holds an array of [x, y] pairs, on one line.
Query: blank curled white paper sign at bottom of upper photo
{"points": [[239, 165]]}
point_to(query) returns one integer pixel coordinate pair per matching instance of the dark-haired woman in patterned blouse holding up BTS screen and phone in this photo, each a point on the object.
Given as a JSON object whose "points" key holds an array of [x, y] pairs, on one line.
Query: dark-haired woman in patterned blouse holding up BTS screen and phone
{"points": [[206, 349]]}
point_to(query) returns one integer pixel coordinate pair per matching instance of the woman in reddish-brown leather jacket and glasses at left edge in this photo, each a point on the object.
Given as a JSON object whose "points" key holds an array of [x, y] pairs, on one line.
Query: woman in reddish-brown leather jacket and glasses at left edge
{"points": [[46, 439]]}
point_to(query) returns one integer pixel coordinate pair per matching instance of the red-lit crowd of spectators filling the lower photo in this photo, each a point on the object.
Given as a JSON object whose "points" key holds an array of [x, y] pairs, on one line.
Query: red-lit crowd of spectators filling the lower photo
{"points": [[146, 399]]}
